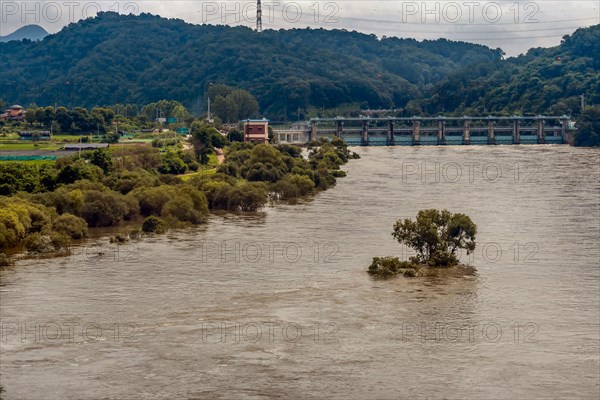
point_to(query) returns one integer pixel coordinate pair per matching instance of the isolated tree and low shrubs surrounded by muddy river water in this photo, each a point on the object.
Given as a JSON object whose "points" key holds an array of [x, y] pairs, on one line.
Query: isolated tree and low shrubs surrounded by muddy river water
{"points": [[435, 236]]}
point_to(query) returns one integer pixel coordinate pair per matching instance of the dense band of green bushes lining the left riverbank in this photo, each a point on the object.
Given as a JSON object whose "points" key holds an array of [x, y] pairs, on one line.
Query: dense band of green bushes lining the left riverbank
{"points": [[43, 207]]}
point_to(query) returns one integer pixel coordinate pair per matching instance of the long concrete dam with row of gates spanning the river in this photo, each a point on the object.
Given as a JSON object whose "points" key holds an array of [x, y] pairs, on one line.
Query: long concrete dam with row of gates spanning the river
{"points": [[415, 131]]}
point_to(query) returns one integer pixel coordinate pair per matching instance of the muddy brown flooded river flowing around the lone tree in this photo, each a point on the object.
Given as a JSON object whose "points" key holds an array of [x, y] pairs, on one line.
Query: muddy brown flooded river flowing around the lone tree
{"points": [[279, 305]]}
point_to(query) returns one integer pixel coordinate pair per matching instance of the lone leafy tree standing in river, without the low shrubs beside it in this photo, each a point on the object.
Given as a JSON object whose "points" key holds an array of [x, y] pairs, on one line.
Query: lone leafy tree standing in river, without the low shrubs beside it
{"points": [[436, 236]]}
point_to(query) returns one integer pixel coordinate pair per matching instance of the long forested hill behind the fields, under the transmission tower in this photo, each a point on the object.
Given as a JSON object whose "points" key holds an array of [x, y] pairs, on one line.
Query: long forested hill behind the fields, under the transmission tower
{"points": [[115, 58]]}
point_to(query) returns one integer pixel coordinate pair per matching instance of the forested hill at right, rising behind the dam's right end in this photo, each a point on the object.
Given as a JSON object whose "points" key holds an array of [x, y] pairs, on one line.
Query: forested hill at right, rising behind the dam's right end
{"points": [[545, 80]]}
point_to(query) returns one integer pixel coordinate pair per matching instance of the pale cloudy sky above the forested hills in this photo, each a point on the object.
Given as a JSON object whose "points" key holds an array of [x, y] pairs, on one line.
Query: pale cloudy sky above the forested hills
{"points": [[514, 26]]}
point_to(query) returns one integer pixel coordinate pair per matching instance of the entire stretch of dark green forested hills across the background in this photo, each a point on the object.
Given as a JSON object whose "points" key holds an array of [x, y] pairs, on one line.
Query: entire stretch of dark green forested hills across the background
{"points": [[126, 59]]}
